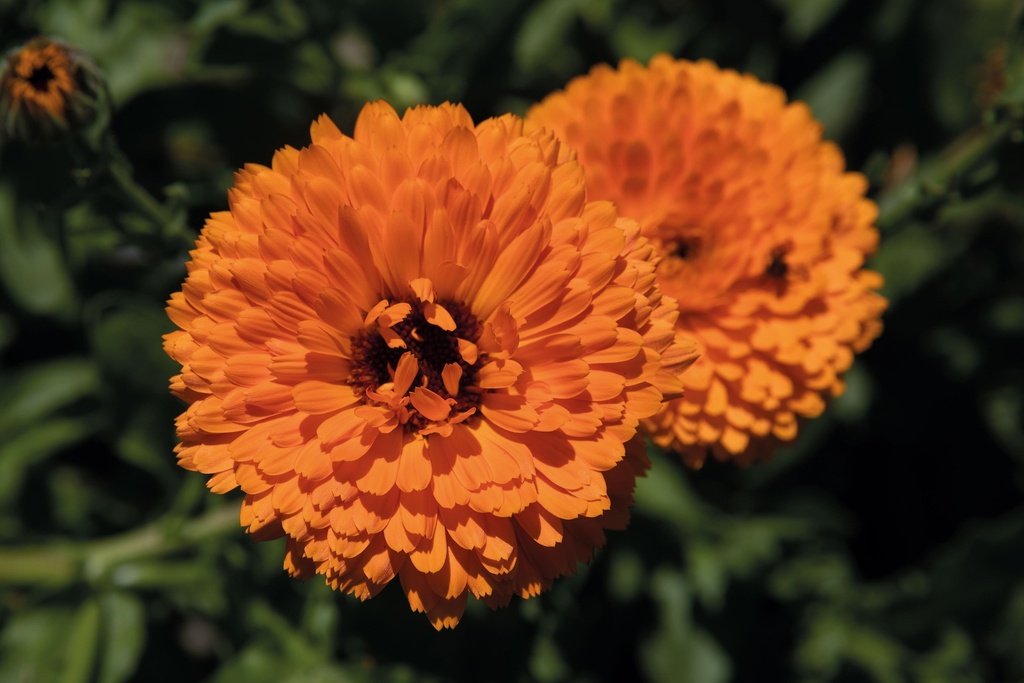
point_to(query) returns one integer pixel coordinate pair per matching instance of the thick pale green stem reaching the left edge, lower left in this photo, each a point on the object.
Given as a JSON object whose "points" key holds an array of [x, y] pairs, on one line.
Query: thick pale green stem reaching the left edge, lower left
{"points": [[64, 563]]}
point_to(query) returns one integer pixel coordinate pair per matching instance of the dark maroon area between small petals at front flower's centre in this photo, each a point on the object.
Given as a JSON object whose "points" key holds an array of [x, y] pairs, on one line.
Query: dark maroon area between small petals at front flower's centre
{"points": [[374, 362]]}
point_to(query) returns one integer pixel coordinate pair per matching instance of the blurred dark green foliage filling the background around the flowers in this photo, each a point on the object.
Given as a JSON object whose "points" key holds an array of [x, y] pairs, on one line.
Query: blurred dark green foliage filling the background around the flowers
{"points": [[887, 545]]}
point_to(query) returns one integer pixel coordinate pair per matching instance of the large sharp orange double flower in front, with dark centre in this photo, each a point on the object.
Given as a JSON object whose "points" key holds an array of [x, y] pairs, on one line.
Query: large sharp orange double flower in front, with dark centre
{"points": [[420, 353]]}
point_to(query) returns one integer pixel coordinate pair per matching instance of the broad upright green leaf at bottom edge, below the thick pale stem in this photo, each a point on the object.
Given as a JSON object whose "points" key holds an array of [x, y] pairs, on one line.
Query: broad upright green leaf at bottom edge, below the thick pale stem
{"points": [[124, 630]]}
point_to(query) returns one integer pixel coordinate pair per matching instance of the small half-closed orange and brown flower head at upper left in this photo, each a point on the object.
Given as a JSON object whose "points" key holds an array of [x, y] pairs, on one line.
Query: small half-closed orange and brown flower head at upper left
{"points": [[47, 89]]}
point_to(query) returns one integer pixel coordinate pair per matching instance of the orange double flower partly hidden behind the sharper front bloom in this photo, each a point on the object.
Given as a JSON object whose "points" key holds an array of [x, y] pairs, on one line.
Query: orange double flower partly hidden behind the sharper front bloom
{"points": [[763, 237]]}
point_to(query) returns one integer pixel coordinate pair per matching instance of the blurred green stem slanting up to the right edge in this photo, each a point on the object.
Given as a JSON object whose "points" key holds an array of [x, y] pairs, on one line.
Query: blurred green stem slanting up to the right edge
{"points": [[935, 185]]}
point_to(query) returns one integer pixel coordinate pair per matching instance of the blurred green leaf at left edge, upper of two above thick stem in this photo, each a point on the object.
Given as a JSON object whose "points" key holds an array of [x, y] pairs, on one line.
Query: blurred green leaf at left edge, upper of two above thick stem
{"points": [[44, 389]]}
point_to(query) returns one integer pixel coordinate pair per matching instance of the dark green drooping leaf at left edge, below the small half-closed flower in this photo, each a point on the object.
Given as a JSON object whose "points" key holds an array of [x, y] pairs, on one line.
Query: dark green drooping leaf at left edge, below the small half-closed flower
{"points": [[31, 267]]}
